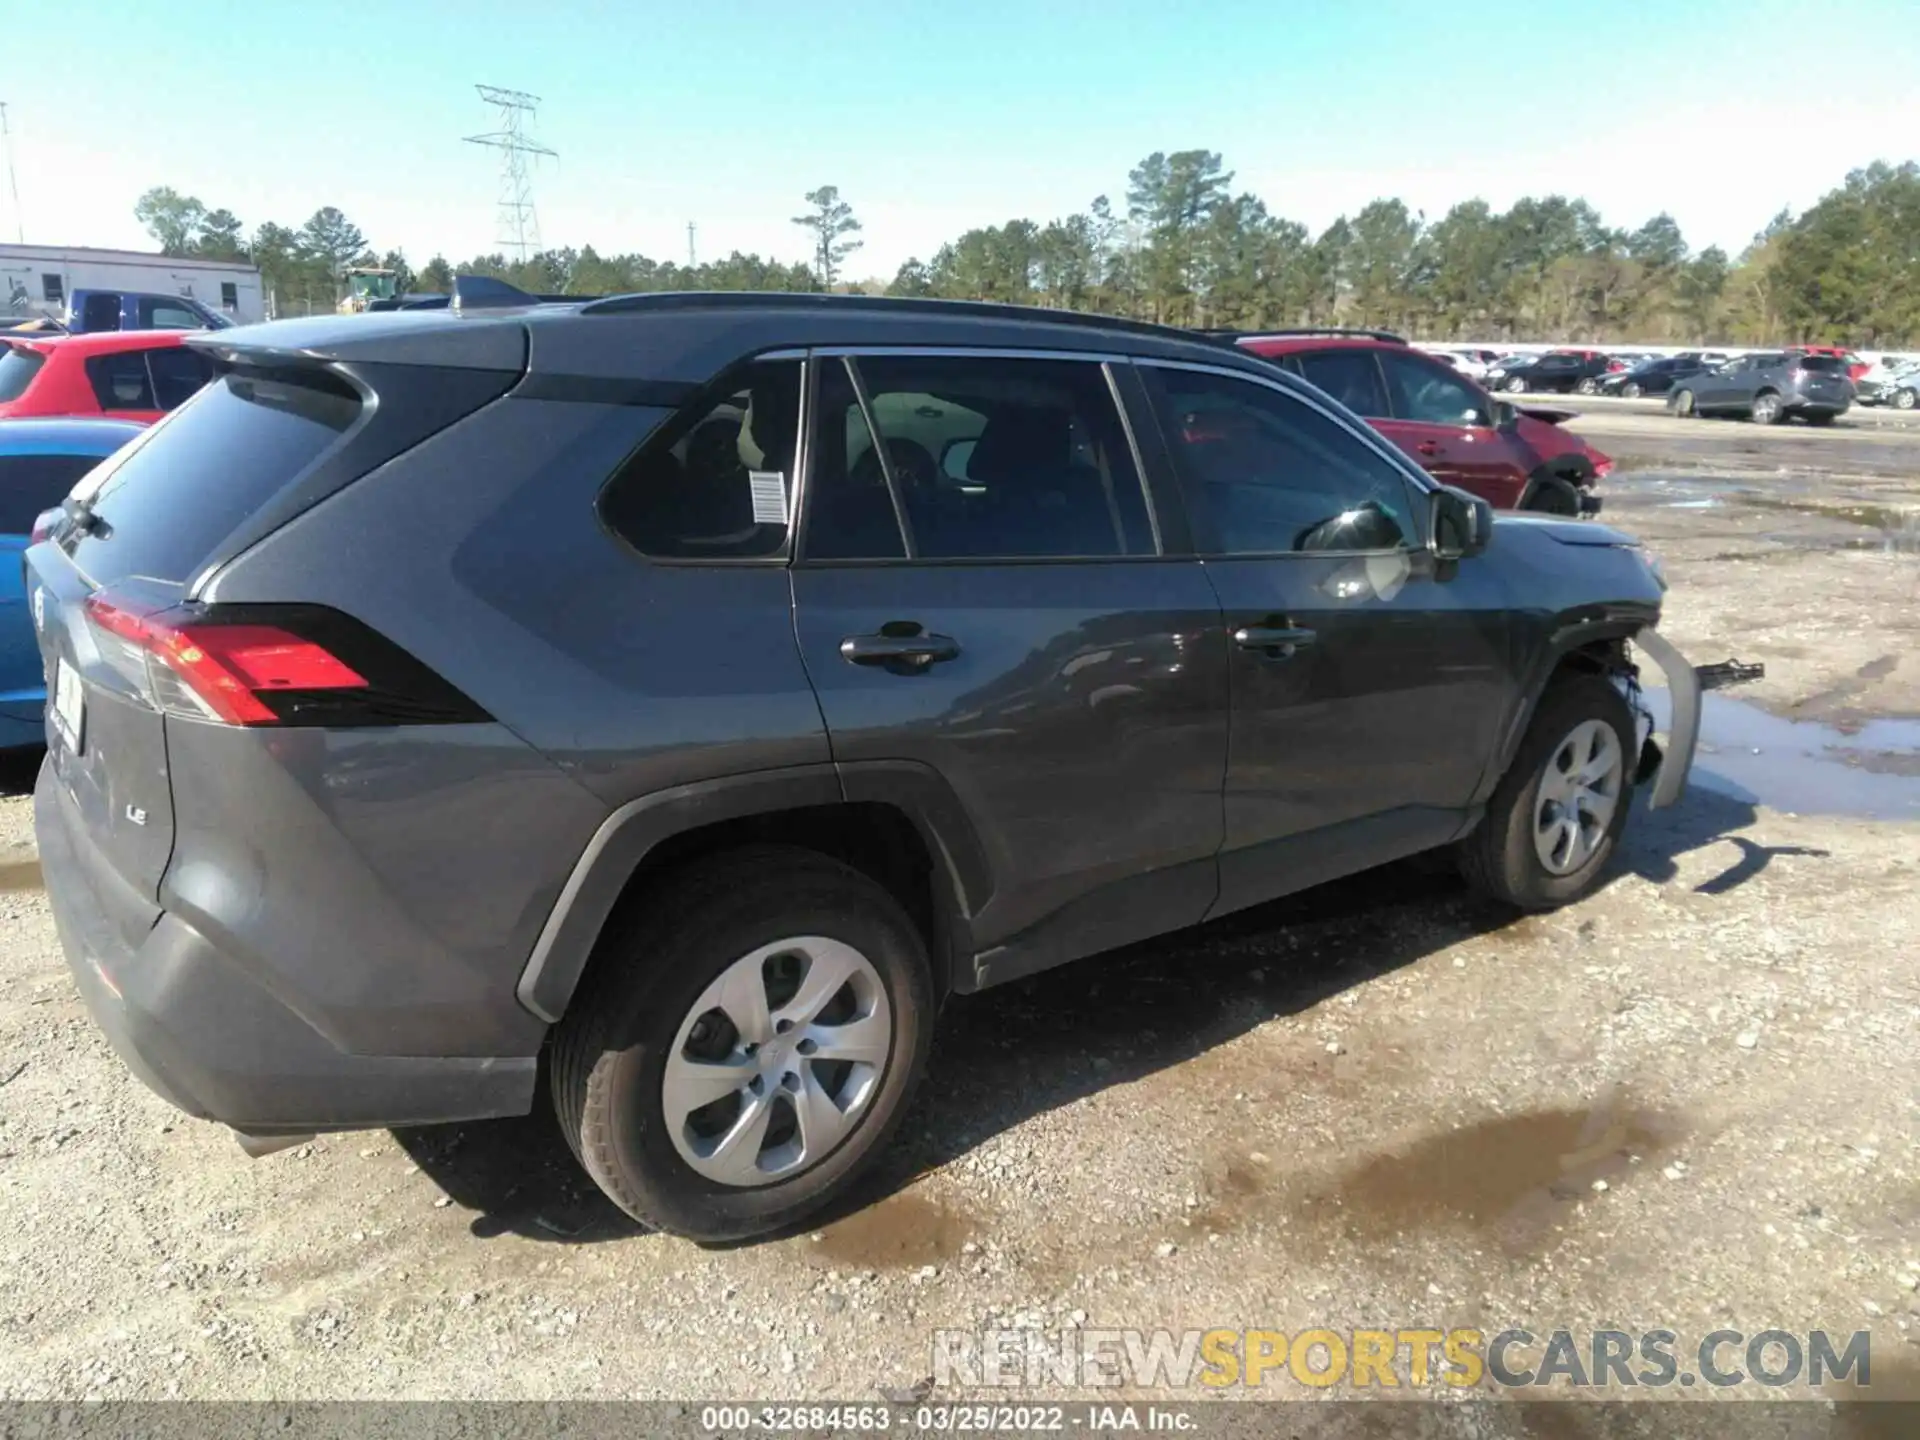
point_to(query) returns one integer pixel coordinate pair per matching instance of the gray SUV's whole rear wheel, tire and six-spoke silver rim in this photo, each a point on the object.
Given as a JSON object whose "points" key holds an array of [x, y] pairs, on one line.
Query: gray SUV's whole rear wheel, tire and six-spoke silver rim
{"points": [[746, 1045]]}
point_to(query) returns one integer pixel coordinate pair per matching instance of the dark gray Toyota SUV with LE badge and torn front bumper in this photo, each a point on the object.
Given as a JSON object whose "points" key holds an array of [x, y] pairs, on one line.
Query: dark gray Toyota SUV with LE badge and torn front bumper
{"points": [[692, 692]]}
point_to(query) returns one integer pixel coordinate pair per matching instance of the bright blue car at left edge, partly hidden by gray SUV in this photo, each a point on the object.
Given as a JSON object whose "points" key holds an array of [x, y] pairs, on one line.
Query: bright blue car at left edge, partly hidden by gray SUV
{"points": [[39, 466]]}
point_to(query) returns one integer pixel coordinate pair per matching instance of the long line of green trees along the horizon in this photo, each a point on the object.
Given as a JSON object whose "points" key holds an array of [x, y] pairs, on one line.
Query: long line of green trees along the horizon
{"points": [[1186, 249]]}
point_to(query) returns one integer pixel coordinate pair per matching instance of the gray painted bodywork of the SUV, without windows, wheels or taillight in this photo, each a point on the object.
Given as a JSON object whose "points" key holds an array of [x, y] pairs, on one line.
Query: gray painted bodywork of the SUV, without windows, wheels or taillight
{"points": [[327, 928]]}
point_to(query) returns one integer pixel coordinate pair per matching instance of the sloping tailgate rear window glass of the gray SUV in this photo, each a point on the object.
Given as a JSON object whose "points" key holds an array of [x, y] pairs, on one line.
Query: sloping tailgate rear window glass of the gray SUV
{"points": [[172, 496]]}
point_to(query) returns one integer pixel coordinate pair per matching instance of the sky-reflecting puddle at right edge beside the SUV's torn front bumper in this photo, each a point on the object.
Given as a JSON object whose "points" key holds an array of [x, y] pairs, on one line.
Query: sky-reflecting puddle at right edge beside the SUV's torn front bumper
{"points": [[1804, 767]]}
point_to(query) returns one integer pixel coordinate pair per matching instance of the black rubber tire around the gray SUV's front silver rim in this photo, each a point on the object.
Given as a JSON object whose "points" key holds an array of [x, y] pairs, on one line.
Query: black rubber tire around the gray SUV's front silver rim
{"points": [[1499, 859]]}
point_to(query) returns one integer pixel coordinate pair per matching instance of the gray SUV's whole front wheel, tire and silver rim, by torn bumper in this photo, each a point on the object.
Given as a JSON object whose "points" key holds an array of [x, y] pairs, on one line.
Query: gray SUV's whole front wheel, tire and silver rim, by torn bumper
{"points": [[1558, 813]]}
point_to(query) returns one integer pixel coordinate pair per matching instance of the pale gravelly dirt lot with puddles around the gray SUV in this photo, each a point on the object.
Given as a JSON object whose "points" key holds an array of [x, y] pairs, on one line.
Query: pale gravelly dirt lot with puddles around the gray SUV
{"points": [[1691, 1101]]}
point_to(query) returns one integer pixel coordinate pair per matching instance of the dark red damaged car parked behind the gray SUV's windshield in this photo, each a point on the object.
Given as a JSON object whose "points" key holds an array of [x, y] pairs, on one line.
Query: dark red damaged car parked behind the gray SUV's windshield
{"points": [[1514, 458]]}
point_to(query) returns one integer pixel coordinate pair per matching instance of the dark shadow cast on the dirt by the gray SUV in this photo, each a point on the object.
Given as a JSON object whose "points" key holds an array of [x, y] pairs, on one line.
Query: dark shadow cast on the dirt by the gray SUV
{"points": [[1053, 1040]]}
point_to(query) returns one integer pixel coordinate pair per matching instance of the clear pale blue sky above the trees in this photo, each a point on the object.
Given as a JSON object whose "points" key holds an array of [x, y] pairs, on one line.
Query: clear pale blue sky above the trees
{"points": [[938, 118]]}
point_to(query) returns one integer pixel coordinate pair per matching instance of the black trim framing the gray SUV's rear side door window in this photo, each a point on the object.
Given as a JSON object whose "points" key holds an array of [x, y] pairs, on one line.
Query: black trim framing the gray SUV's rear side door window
{"points": [[853, 354]]}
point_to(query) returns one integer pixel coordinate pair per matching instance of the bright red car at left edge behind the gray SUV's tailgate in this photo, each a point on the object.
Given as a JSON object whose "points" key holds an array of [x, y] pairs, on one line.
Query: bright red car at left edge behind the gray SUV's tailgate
{"points": [[128, 375]]}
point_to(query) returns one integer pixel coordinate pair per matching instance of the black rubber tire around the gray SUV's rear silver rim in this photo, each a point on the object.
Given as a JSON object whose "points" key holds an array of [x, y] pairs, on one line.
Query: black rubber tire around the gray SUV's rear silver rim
{"points": [[610, 1053]]}
